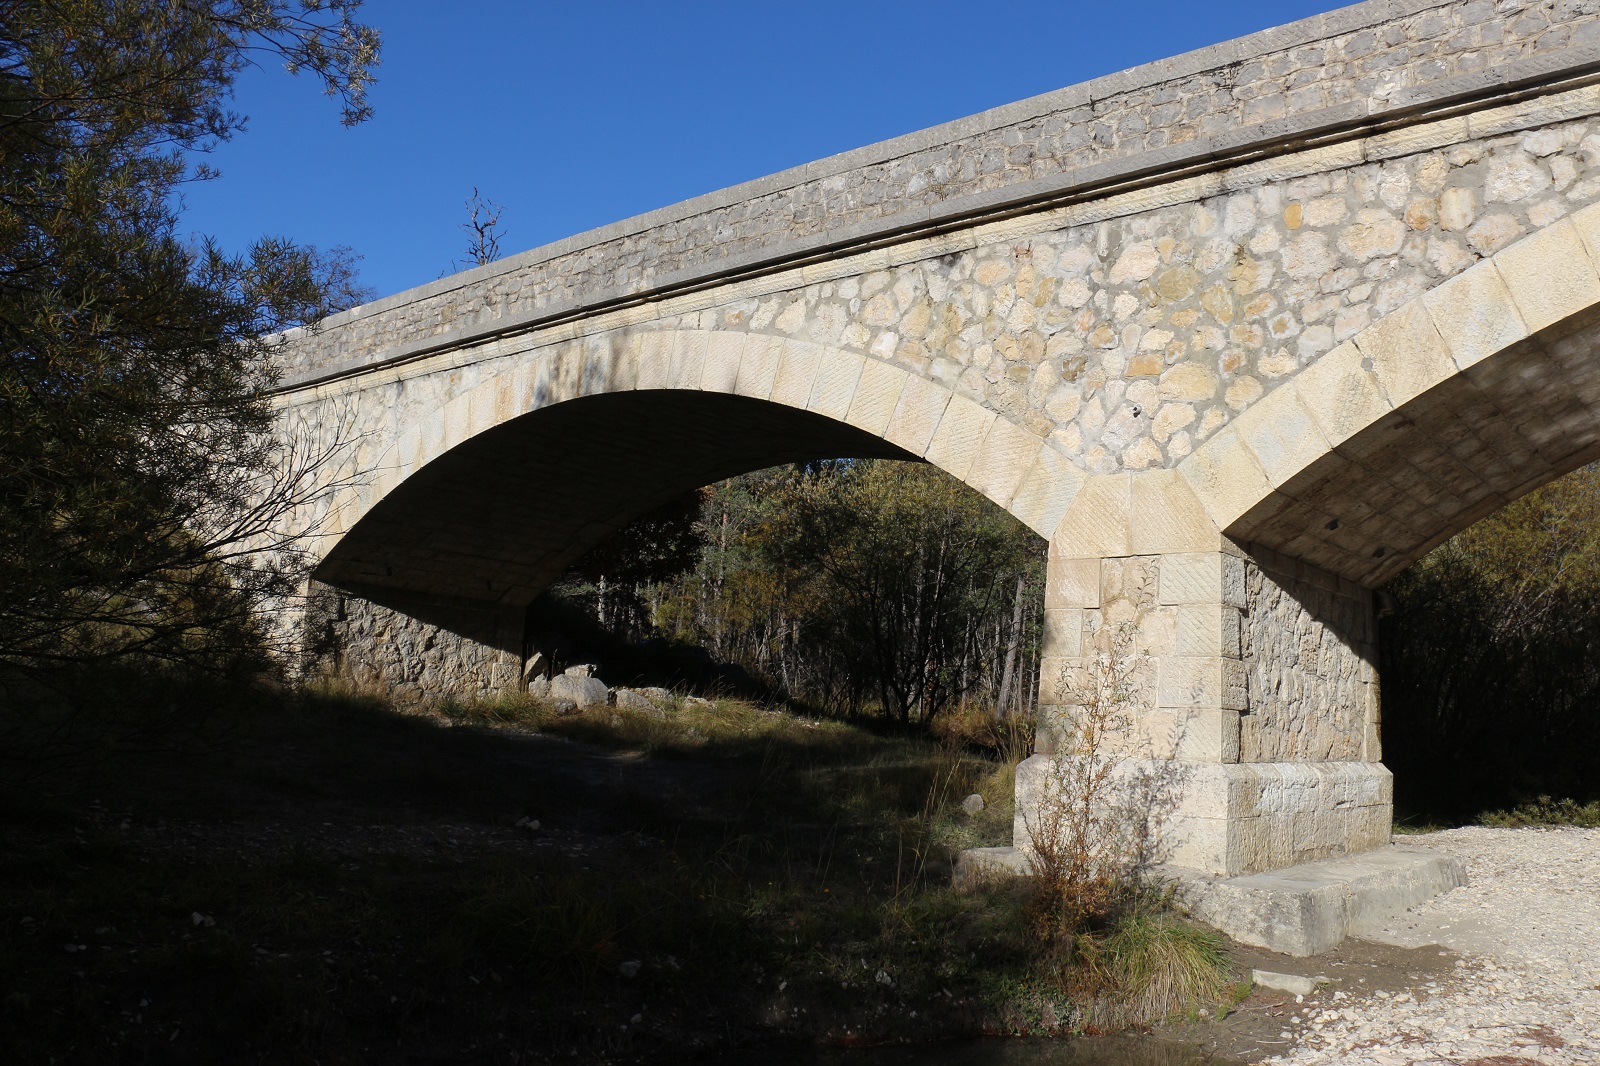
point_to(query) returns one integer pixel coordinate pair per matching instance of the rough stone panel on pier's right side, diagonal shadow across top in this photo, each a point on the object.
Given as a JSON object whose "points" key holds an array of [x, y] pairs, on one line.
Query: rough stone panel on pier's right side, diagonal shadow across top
{"points": [[1310, 654]]}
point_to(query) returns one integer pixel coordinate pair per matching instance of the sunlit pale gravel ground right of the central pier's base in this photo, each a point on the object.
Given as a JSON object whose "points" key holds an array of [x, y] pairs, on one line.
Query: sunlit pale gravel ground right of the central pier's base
{"points": [[1527, 987]]}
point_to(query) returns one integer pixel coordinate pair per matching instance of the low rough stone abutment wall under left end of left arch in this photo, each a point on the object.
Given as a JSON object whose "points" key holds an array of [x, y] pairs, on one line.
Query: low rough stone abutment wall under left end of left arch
{"points": [[414, 647]]}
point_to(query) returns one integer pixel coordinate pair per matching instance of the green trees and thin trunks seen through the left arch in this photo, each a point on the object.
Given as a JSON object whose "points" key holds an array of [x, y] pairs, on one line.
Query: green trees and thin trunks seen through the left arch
{"points": [[850, 587]]}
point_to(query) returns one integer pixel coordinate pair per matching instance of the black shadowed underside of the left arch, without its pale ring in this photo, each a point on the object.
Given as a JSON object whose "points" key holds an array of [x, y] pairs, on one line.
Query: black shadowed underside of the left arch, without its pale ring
{"points": [[502, 515]]}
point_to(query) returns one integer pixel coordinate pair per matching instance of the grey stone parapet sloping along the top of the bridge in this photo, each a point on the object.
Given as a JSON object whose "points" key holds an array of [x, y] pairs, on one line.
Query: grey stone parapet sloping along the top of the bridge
{"points": [[751, 230]]}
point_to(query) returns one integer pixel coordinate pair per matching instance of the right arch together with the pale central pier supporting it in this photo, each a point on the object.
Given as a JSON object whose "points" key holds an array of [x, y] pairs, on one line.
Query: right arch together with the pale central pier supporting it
{"points": [[1247, 569]]}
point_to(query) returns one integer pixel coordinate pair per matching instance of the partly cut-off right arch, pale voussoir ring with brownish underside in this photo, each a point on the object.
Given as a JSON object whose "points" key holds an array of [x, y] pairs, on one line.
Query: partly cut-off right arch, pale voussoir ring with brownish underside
{"points": [[1434, 417]]}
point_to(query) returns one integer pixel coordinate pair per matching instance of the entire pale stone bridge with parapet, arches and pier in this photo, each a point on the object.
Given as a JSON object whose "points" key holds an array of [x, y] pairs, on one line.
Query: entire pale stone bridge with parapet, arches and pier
{"points": [[1242, 334]]}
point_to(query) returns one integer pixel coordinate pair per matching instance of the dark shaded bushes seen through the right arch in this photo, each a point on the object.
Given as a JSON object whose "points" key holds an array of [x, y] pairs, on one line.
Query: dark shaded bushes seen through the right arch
{"points": [[1490, 663]]}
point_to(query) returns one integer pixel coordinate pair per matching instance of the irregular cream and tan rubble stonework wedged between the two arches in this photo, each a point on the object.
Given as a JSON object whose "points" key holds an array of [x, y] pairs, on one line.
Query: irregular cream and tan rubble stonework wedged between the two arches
{"points": [[1132, 340]]}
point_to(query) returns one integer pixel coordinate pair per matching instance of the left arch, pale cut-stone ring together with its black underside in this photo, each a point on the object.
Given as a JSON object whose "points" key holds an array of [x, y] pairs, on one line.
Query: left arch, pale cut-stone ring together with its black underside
{"points": [[497, 491]]}
